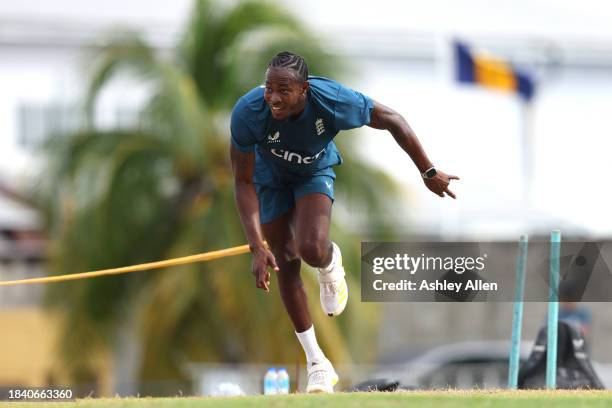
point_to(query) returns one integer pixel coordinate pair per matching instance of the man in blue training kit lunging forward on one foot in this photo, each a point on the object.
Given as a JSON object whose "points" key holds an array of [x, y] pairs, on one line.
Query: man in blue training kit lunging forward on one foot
{"points": [[282, 154]]}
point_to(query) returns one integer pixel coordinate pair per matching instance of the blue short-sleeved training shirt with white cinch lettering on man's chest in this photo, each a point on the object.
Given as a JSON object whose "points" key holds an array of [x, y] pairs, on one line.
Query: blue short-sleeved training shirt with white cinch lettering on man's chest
{"points": [[289, 150]]}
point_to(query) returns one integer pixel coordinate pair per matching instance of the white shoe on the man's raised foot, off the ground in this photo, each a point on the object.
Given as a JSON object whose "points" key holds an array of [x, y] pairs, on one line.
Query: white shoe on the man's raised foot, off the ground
{"points": [[333, 288]]}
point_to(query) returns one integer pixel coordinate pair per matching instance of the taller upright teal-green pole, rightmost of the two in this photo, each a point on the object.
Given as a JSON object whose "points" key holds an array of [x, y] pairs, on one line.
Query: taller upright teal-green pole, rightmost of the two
{"points": [[553, 310]]}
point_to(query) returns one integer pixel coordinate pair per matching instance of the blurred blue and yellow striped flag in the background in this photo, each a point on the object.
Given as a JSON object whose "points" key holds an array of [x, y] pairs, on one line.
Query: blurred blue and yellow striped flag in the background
{"points": [[491, 73]]}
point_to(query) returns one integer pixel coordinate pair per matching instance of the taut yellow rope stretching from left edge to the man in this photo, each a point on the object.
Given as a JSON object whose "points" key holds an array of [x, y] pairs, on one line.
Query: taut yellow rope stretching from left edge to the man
{"points": [[206, 256]]}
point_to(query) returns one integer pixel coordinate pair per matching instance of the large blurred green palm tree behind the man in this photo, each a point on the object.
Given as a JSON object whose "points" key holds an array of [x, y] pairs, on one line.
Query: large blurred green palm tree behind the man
{"points": [[163, 188]]}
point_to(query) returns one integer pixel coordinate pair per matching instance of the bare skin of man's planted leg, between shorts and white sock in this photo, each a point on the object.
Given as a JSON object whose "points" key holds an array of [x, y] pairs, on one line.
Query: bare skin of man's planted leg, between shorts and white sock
{"points": [[281, 239]]}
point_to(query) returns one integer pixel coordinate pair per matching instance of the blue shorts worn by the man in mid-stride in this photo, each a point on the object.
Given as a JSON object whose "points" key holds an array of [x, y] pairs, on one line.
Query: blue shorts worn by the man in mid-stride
{"points": [[274, 201]]}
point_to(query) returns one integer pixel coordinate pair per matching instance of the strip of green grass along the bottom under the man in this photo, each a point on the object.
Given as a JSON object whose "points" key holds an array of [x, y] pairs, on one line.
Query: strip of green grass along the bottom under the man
{"points": [[413, 399]]}
